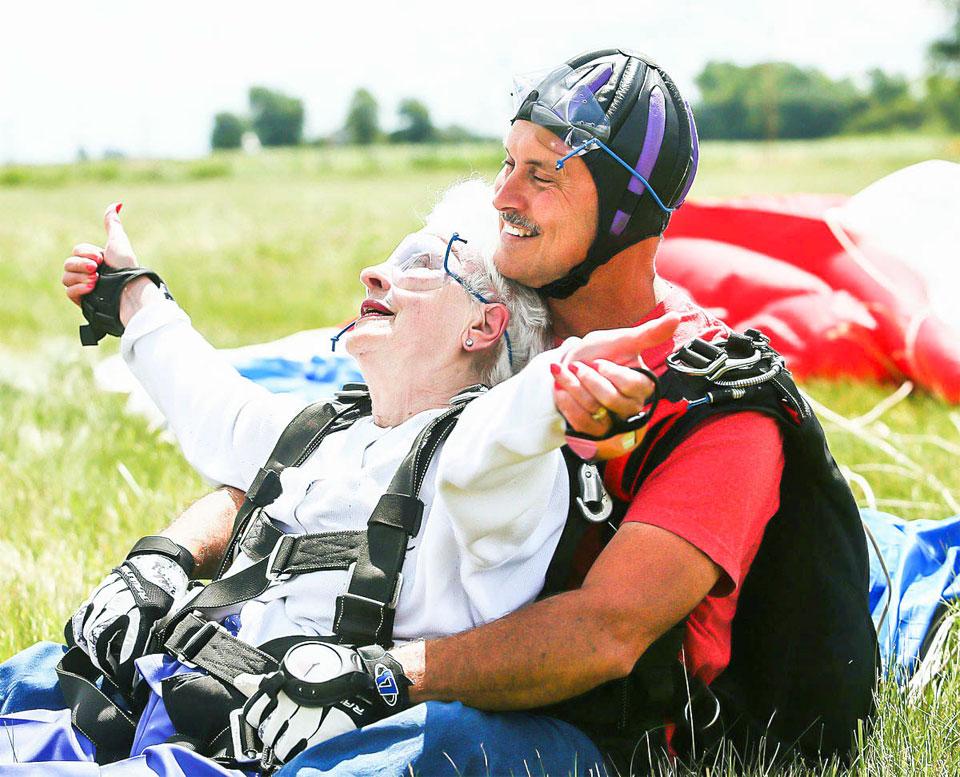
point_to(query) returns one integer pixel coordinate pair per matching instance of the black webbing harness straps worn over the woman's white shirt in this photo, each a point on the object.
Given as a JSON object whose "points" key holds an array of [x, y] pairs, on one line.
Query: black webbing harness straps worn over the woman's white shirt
{"points": [[364, 614]]}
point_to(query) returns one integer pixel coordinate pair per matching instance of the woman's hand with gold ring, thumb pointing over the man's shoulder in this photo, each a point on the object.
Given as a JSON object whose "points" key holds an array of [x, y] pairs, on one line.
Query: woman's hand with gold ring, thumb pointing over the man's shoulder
{"points": [[595, 377]]}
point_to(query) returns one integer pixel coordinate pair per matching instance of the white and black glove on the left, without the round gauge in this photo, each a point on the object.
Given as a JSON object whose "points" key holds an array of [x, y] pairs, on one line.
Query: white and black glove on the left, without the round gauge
{"points": [[114, 626]]}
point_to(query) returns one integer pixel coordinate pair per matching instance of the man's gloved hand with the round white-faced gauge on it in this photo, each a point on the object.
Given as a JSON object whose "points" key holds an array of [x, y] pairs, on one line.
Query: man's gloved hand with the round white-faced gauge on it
{"points": [[323, 690]]}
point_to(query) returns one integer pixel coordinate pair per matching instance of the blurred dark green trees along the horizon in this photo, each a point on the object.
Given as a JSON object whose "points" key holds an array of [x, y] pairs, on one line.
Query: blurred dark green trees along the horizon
{"points": [[765, 101]]}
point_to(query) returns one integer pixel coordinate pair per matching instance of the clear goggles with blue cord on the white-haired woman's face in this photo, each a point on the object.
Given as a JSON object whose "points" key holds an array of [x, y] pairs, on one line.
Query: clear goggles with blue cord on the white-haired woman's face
{"points": [[422, 262]]}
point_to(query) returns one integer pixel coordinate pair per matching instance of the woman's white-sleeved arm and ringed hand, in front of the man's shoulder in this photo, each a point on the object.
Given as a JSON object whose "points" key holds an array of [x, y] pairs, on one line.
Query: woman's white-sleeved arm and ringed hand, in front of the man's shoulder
{"points": [[501, 464]]}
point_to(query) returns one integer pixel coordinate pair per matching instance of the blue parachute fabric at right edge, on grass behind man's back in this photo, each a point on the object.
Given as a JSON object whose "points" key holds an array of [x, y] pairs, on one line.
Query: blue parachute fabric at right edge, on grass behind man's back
{"points": [[923, 561]]}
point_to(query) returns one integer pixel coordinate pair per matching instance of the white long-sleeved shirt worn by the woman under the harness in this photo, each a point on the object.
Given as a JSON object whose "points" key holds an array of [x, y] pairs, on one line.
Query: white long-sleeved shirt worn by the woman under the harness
{"points": [[495, 496]]}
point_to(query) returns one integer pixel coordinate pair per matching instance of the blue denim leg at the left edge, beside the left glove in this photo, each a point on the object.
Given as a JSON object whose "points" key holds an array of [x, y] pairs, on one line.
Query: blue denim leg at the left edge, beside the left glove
{"points": [[28, 680]]}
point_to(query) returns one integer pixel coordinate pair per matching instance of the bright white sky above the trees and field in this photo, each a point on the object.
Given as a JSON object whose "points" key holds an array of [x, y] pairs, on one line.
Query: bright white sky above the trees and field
{"points": [[147, 78]]}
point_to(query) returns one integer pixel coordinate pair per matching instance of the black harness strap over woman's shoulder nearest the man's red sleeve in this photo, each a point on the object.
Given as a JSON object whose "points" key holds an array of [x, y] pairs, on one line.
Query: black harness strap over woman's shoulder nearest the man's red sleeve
{"points": [[364, 614]]}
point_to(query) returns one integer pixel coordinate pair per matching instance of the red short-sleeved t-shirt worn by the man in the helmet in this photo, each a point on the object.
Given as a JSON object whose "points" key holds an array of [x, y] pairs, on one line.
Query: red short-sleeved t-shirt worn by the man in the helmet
{"points": [[716, 490]]}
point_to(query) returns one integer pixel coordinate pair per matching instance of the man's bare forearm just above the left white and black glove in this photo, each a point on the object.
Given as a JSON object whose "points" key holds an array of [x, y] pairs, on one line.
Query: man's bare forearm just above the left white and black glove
{"points": [[204, 528]]}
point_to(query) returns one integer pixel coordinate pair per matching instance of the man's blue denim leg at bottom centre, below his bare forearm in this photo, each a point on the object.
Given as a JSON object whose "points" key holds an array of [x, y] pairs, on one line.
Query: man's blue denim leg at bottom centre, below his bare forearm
{"points": [[438, 738]]}
